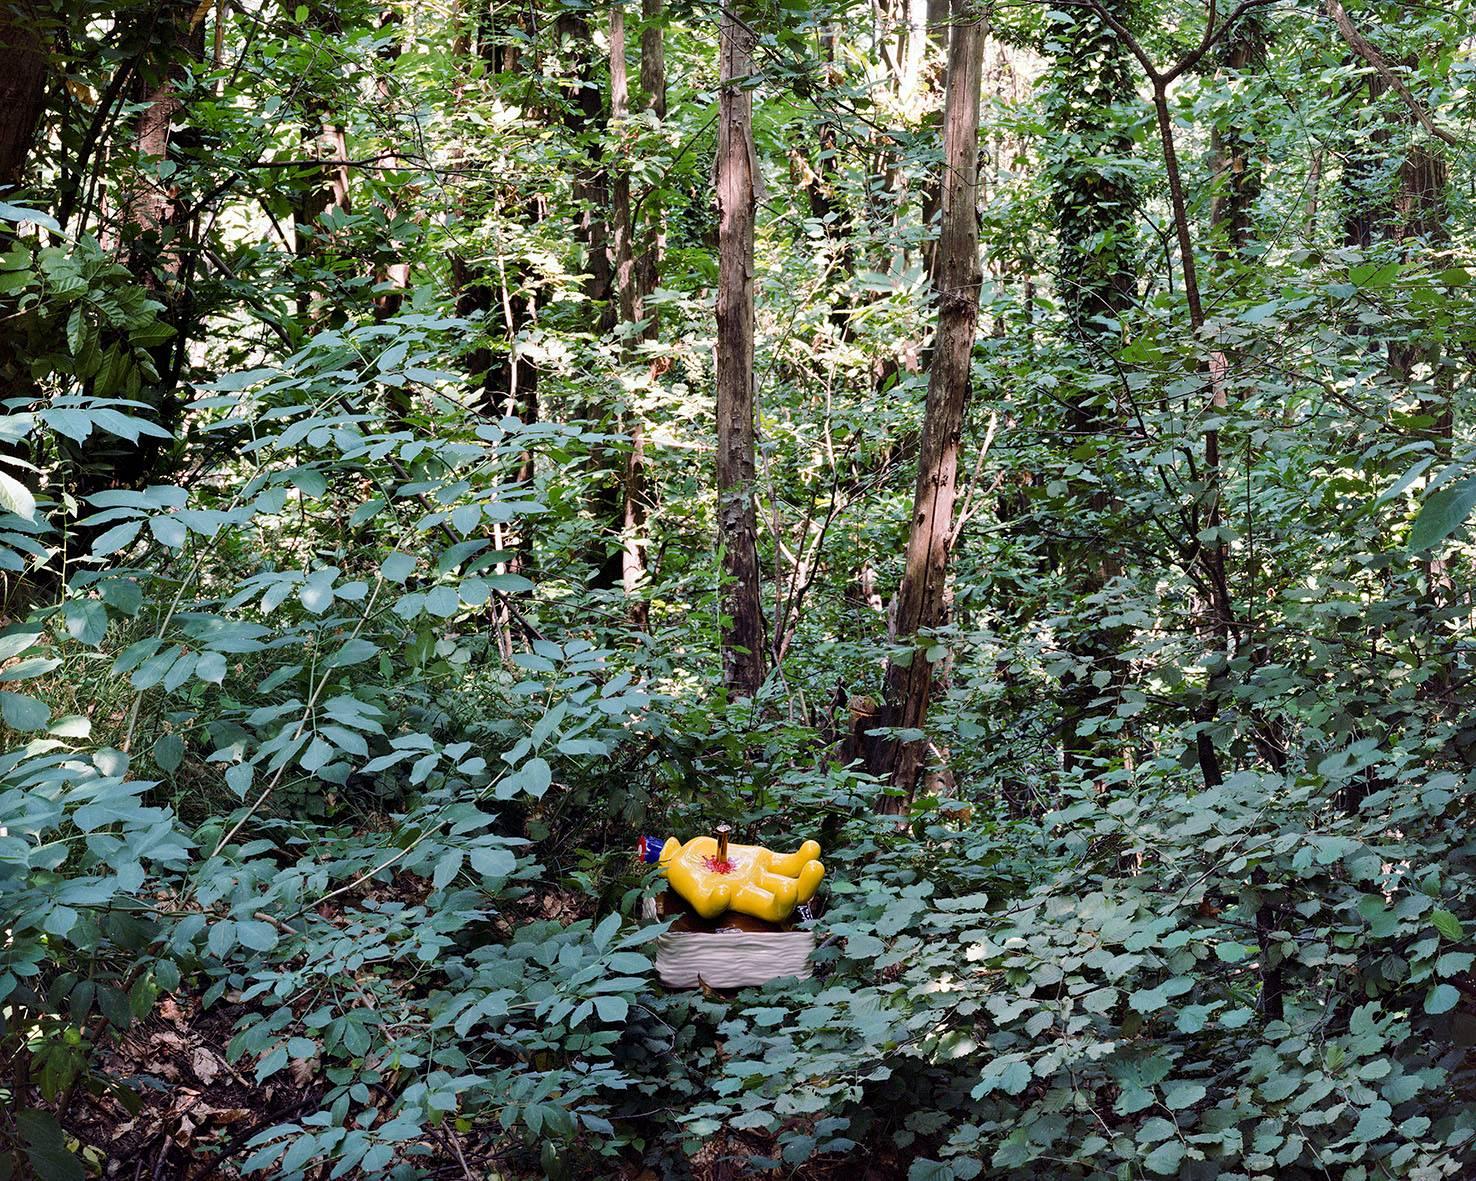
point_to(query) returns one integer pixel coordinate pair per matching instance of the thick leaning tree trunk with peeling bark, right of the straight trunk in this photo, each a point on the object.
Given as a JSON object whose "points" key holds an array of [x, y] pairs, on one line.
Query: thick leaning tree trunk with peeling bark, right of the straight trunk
{"points": [[923, 597]]}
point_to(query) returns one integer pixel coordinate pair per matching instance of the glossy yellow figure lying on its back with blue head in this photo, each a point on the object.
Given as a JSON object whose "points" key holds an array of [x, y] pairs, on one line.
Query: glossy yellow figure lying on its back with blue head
{"points": [[715, 876]]}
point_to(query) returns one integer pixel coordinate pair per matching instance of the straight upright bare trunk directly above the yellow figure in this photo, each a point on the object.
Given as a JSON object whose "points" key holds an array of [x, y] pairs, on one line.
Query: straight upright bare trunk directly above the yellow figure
{"points": [[737, 522]]}
